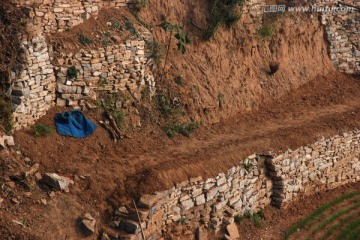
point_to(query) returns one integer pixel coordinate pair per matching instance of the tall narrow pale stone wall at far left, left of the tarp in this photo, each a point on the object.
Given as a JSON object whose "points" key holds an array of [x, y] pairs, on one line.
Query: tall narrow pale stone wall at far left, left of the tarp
{"points": [[33, 90]]}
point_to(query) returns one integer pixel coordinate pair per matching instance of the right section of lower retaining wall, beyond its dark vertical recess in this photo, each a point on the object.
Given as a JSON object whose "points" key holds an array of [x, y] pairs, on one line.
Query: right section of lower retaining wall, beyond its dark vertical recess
{"points": [[325, 164]]}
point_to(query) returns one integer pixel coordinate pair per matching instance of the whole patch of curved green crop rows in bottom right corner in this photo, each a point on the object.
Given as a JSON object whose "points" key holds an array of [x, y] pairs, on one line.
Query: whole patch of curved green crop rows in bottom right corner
{"points": [[310, 220]]}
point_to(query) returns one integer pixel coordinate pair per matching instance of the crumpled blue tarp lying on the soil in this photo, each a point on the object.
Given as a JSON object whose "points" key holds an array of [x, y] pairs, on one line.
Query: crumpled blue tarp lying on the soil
{"points": [[74, 124]]}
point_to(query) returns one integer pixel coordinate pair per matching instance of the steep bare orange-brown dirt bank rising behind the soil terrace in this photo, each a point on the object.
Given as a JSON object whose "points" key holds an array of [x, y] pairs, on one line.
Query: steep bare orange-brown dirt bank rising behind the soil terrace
{"points": [[237, 61]]}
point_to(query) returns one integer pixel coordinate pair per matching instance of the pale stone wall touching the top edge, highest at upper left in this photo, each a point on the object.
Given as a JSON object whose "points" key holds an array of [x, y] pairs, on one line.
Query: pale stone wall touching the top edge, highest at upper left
{"points": [[56, 16]]}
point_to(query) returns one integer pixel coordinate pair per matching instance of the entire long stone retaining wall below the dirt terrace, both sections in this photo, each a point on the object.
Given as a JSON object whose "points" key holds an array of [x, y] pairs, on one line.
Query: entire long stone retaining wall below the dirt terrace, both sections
{"points": [[256, 182]]}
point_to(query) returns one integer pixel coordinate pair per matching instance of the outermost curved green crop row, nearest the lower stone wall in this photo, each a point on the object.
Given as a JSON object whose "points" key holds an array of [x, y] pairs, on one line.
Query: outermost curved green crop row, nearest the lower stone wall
{"points": [[317, 212]]}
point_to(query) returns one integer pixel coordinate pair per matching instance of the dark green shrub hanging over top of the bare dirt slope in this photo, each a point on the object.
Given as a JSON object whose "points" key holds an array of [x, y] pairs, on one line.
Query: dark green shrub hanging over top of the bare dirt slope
{"points": [[226, 13]]}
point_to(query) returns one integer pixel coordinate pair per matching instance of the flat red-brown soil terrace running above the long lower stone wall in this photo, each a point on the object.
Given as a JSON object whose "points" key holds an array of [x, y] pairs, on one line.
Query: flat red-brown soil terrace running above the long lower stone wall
{"points": [[150, 161]]}
